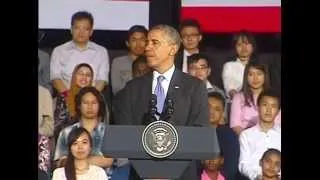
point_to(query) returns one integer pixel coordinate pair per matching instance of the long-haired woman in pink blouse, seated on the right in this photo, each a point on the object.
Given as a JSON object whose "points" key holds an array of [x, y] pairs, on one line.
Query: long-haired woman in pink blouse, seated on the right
{"points": [[244, 111]]}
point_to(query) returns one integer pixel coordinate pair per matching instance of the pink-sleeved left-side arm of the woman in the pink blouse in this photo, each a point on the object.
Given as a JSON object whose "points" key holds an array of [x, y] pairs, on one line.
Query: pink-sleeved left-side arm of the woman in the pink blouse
{"points": [[236, 114]]}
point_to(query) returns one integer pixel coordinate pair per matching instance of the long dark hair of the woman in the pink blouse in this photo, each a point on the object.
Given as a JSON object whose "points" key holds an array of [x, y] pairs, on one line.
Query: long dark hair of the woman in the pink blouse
{"points": [[254, 63]]}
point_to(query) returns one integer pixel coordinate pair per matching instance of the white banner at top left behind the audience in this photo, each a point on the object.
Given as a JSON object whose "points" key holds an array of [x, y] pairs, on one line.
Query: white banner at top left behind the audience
{"points": [[108, 14]]}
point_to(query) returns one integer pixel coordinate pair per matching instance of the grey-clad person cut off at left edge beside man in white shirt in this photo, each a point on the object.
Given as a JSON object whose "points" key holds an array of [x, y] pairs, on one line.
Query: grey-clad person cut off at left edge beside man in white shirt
{"points": [[44, 70]]}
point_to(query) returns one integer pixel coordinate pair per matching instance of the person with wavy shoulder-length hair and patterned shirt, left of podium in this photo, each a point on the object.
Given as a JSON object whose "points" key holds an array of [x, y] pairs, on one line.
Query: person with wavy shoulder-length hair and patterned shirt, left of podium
{"points": [[90, 109]]}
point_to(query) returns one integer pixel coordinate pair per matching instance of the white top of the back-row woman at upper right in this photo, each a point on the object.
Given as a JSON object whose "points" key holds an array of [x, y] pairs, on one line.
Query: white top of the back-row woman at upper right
{"points": [[232, 75]]}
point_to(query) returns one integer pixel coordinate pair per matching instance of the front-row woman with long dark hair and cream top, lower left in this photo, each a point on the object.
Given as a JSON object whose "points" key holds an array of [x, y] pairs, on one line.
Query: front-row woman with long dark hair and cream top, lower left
{"points": [[77, 165]]}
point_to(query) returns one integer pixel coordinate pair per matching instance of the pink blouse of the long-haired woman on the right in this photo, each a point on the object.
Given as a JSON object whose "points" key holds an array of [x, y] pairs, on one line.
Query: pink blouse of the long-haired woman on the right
{"points": [[245, 116]]}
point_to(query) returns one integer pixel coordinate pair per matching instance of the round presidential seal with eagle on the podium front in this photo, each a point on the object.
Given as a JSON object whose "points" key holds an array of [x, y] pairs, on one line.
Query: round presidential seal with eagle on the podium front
{"points": [[160, 139]]}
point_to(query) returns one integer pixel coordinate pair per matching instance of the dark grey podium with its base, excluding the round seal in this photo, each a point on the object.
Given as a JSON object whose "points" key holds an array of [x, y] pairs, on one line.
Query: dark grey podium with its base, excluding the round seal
{"points": [[195, 143]]}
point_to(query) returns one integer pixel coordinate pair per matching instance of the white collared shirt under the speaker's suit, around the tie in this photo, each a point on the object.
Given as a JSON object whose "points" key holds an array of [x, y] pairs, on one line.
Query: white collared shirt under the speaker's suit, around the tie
{"points": [[166, 82]]}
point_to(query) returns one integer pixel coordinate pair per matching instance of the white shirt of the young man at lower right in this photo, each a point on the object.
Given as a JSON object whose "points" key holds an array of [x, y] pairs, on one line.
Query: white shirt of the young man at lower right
{"points": [[253, 143]]}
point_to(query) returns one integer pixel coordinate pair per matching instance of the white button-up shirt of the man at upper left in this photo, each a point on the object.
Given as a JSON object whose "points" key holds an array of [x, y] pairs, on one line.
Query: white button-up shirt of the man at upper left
{"points": [[66, 56]]}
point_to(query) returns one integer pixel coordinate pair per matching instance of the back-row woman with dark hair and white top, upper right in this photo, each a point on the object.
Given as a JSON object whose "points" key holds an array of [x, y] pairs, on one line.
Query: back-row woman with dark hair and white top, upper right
{"points": [[232, 72]]}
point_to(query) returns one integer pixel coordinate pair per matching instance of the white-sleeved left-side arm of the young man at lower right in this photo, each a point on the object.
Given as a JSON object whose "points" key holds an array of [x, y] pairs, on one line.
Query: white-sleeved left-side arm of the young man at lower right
{"points": [[246, 165]]}
